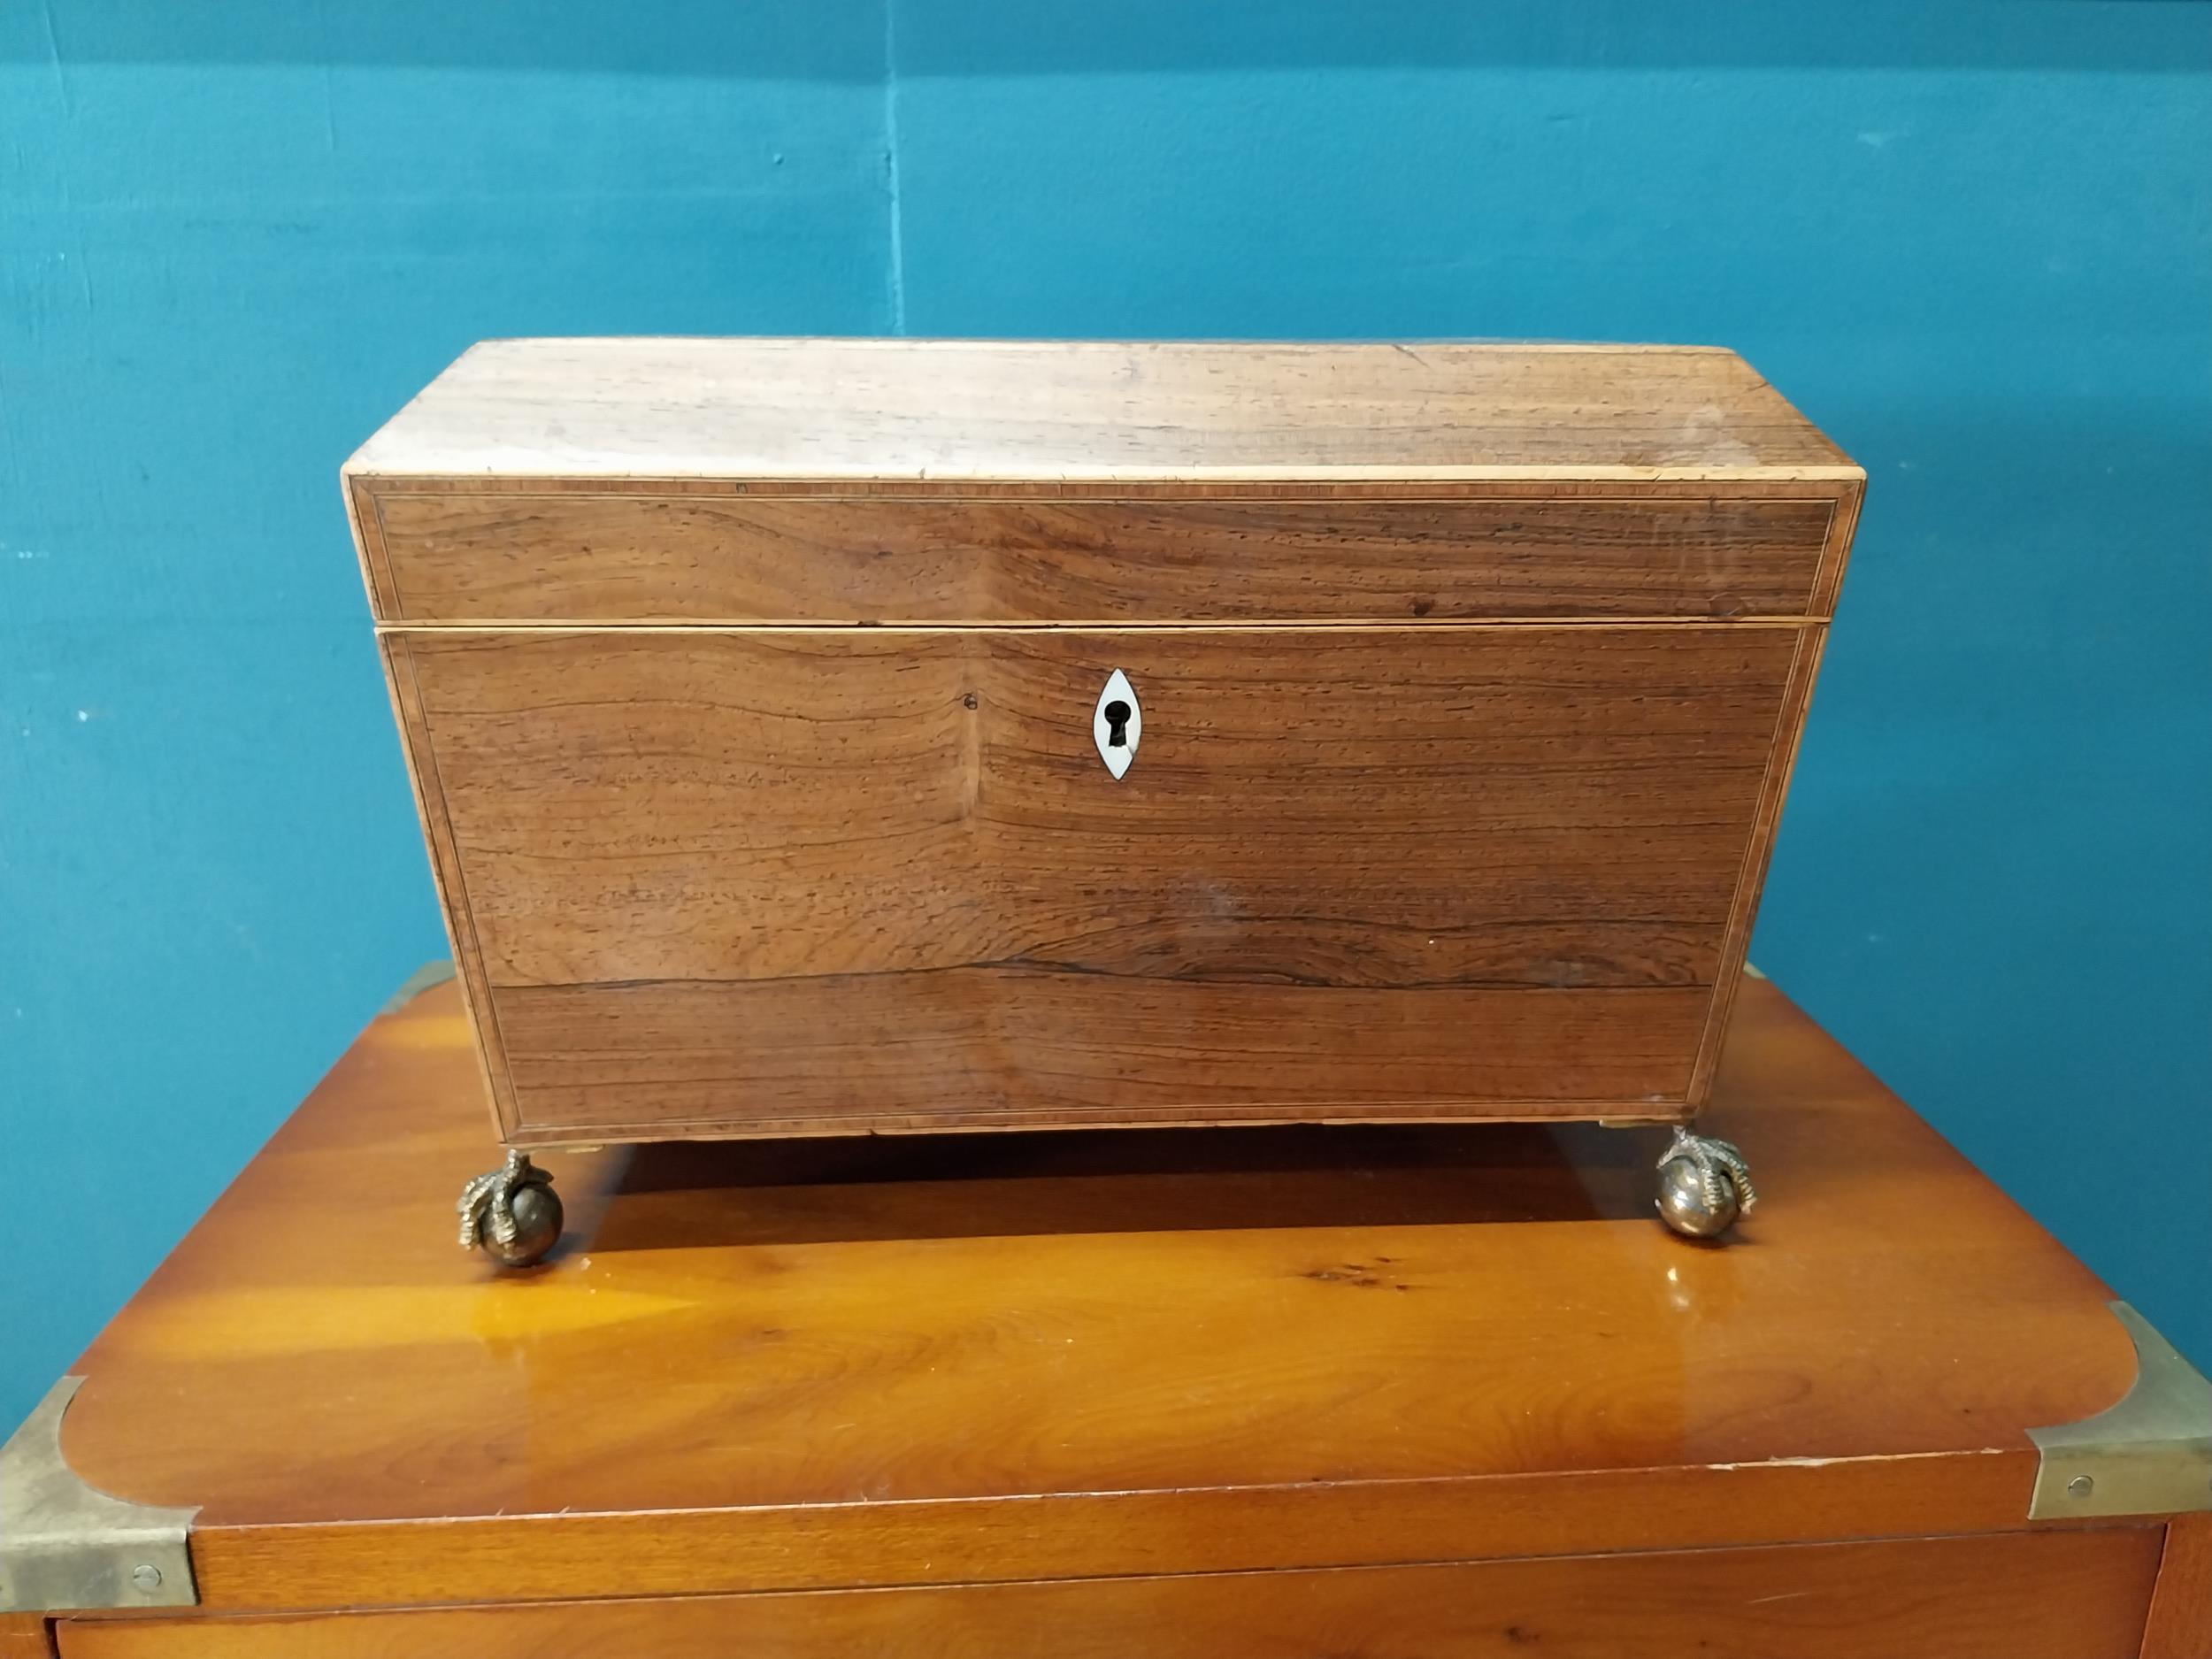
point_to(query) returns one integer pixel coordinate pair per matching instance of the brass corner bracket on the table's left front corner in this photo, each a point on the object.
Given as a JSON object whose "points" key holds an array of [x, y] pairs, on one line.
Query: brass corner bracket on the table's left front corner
{"points": [[70, 1547]]}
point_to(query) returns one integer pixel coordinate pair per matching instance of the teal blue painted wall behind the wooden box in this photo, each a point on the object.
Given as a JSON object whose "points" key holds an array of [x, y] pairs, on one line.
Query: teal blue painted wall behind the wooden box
{"points": [[1972, 240]]}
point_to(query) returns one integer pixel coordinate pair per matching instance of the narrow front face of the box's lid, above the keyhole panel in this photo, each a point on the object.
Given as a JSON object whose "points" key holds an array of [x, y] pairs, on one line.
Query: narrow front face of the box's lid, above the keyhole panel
{"points": [[601, 556]]}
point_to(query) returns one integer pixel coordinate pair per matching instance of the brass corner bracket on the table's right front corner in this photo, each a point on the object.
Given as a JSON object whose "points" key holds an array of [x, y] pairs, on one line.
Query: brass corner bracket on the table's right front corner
{"points": [[2147, 1457]]}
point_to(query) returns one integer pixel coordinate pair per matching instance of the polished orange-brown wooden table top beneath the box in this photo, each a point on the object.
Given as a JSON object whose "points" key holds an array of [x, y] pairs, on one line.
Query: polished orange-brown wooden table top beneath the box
{"points": [[1092, 1353]]}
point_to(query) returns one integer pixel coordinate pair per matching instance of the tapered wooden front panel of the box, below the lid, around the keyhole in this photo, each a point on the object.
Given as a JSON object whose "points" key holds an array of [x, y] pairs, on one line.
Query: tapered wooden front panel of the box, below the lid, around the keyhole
{"points": [[804, 879]]}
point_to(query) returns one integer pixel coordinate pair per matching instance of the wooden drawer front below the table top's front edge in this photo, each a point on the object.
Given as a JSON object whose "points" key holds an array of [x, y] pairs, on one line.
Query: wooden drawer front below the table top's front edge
{"points": [[2023, 1596]]}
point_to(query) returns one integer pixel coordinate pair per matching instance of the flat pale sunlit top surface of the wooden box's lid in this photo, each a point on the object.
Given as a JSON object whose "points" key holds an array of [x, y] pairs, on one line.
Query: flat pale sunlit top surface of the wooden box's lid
{"points": [[1096, 410]]}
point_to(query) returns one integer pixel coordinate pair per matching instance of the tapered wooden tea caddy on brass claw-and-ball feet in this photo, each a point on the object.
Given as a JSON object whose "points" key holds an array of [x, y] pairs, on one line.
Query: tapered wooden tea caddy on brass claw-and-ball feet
{"points": [[831, 738]]}
